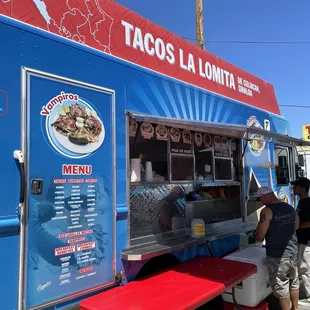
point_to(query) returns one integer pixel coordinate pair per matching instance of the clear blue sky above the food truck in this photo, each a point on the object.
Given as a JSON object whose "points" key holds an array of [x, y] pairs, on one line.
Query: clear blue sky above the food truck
{"points": [[287, 67]]}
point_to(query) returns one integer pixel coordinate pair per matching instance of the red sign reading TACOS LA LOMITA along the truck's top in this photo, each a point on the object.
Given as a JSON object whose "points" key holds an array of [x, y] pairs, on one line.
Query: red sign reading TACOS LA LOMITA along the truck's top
{"points": [[114, 29]]}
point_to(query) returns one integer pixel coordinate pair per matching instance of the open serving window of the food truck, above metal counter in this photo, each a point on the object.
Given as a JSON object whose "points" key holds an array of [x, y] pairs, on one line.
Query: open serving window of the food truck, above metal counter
{"points": [[178, 174]]}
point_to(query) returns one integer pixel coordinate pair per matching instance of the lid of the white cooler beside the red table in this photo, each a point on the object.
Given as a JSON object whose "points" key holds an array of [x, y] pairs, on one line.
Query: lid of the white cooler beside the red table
{"points": [[252, 255]]}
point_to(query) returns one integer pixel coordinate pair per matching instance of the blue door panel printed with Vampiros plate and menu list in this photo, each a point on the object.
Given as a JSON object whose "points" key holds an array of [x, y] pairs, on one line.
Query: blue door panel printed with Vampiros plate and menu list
{"points": [[71, 225]]}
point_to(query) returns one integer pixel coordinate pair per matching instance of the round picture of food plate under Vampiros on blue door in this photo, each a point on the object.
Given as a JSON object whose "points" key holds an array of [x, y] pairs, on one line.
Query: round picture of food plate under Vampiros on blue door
{"points": [[76, 127]]}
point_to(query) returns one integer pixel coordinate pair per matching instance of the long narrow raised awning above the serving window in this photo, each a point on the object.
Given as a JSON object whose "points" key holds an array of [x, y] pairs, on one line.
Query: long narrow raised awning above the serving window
{"points": [[223, 129]]}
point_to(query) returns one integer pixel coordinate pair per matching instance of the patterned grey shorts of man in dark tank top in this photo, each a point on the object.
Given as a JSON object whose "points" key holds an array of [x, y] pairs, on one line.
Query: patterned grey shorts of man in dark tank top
{"points": [[283, 275]]}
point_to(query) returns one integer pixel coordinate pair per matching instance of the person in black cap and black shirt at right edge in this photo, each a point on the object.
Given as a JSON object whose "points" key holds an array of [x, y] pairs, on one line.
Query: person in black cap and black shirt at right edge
{"points": [[301, 188]]}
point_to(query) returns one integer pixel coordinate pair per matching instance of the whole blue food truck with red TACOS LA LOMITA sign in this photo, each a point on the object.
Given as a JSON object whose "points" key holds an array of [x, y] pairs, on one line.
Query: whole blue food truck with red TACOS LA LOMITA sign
{"points": [[116, 135]]}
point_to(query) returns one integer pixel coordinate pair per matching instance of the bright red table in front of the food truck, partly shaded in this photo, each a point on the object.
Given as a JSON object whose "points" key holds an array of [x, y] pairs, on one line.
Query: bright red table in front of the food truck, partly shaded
{"points": [[187, 285]]}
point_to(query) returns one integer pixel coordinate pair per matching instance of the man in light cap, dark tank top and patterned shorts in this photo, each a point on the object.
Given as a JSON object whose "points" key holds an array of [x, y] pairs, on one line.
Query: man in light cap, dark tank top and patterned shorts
{"points": [[278, 222]]}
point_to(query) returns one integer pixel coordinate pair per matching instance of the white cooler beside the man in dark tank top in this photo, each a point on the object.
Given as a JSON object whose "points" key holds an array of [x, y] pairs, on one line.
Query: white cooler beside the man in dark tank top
{"points": [[255, 288]]}
